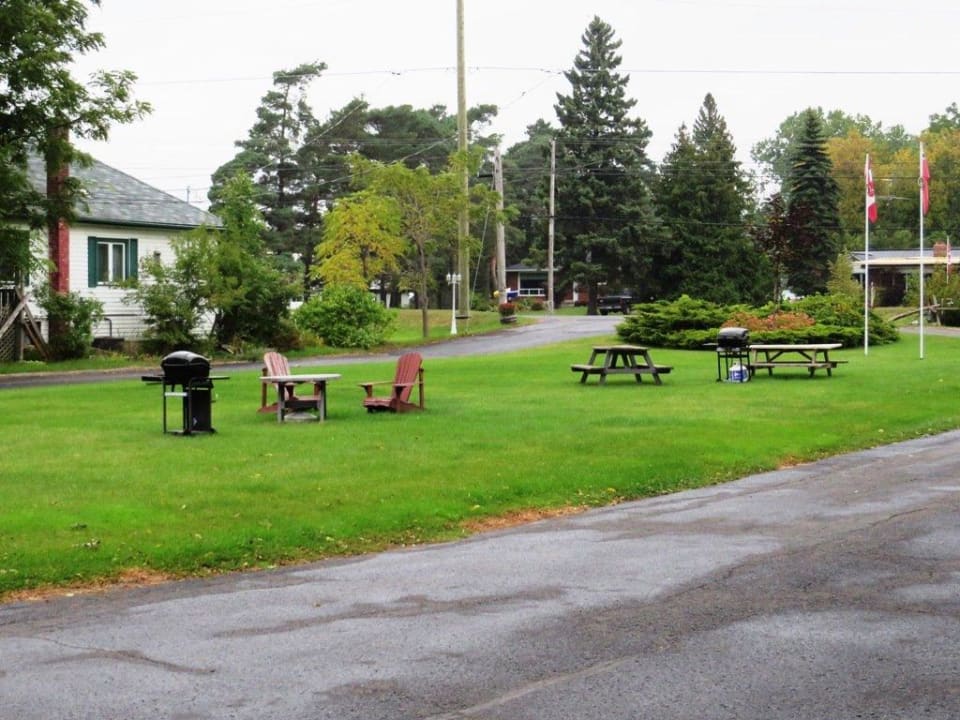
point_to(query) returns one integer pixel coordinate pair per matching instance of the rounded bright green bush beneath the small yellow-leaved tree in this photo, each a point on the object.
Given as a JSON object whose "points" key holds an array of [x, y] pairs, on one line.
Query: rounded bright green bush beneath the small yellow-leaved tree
{"points": [[346, 317]]}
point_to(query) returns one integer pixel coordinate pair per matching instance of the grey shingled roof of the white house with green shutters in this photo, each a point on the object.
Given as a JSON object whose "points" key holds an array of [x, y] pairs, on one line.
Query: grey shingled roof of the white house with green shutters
{"points": [[115, 198]]}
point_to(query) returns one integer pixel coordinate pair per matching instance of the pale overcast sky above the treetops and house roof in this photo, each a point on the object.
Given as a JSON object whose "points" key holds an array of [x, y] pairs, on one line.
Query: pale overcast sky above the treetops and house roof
{"points": [[205, 64]]}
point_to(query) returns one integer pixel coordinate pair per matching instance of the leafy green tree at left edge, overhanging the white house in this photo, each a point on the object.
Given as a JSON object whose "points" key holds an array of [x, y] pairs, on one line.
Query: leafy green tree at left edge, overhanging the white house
{"points": [[43, 108]]}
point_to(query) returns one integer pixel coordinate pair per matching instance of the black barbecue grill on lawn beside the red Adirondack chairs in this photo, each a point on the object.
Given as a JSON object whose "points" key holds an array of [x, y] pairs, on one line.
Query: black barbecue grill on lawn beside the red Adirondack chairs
{"points": [[191, 374]]}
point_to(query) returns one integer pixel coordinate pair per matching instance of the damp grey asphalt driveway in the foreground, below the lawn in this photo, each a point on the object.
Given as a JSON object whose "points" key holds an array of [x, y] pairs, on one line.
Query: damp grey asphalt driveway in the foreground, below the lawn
{"points": [[830, 590]]}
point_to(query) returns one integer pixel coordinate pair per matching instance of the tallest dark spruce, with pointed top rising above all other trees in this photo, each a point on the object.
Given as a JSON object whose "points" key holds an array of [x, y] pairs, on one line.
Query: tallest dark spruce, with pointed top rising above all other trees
{"points": [[607, 230]]}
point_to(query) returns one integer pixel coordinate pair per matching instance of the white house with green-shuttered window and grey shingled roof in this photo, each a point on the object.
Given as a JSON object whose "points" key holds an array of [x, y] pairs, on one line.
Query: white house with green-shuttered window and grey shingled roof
{"points": [[122, 221]]}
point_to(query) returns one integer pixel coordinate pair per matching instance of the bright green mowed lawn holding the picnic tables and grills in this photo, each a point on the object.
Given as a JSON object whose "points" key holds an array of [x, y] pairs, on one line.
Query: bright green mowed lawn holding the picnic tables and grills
{"points": [[90, 488]]}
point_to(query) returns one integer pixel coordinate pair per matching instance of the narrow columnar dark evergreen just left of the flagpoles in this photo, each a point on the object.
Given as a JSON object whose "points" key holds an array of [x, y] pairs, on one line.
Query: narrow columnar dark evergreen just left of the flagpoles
{"points": [[813, 214]]}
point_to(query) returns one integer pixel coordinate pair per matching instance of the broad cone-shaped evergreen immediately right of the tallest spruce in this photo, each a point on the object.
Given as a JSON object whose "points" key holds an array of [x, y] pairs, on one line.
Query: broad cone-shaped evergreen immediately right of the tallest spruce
{"points": [[703, 197]]}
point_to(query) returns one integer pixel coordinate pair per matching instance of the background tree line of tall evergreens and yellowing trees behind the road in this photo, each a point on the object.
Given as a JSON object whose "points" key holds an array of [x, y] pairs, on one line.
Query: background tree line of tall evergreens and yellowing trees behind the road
{"points": [[697, 223]]}
